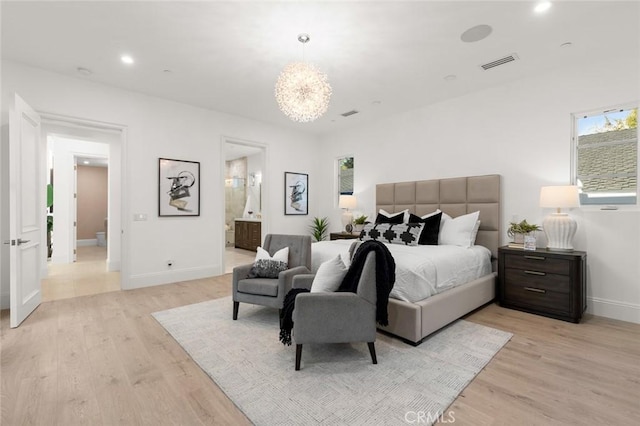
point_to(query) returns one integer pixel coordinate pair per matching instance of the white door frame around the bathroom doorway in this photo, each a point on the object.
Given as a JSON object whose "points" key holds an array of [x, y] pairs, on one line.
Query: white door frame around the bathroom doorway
{"points": [[264, 190]]}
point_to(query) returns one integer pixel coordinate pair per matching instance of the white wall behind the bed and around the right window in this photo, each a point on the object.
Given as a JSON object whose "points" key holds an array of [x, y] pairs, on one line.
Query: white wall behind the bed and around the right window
{"points": [[521, 131]]}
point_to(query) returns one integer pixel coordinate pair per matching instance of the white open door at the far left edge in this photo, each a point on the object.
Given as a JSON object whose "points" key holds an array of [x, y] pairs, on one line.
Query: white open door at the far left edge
{"points": [[26, 215]]}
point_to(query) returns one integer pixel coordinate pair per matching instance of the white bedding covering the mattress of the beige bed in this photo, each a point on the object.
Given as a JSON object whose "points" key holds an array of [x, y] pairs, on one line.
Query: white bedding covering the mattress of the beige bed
{"points": [[421, 271]]}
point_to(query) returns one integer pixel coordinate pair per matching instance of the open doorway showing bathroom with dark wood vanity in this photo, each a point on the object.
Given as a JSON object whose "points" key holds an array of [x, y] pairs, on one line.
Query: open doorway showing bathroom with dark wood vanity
{"points": [[244, 215]]}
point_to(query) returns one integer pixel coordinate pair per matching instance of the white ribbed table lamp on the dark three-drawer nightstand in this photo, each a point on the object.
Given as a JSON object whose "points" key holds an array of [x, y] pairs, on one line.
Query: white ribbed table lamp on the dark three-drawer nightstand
{"points": [[559, 227]]}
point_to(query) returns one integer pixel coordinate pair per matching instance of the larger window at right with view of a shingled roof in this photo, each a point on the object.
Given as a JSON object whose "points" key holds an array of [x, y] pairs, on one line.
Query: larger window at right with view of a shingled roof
{"points": [[605, 156]]}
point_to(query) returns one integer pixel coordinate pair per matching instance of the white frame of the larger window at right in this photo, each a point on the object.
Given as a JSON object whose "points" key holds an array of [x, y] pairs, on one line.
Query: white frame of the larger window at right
{"points": [[599, 201]]}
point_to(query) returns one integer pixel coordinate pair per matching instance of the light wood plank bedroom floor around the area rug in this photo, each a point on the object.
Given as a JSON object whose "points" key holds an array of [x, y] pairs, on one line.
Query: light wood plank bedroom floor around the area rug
{"points": [[103, 360]]}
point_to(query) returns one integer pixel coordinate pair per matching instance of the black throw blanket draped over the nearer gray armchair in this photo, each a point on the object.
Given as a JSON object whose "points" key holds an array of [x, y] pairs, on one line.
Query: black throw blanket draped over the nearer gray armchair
{"points": [[385, 279]]}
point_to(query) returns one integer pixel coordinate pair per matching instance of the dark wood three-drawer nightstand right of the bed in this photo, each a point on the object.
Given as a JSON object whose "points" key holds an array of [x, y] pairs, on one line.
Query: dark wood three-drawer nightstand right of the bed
{"points": [[543, 282]]}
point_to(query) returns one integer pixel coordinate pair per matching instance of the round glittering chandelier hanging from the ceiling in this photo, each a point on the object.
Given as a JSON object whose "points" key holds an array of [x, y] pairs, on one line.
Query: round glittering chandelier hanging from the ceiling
{"points": [[302, 91]]}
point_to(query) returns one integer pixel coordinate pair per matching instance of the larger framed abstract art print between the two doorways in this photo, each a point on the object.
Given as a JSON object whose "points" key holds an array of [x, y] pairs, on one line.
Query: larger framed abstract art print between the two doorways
{"points": [[179, 183]]}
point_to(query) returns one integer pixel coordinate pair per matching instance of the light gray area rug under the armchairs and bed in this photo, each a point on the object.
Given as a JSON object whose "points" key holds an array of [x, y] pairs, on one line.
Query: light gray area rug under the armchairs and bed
{"points": [[337, 383]]}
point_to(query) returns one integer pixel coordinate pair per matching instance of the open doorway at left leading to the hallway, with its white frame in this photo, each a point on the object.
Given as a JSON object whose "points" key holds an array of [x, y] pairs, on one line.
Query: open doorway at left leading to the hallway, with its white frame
{"points": [[84, 221]]}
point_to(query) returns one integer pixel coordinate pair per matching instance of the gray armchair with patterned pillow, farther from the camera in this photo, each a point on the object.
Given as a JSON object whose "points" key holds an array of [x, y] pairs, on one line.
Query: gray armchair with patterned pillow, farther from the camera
{"points": [[271, 291]]}
